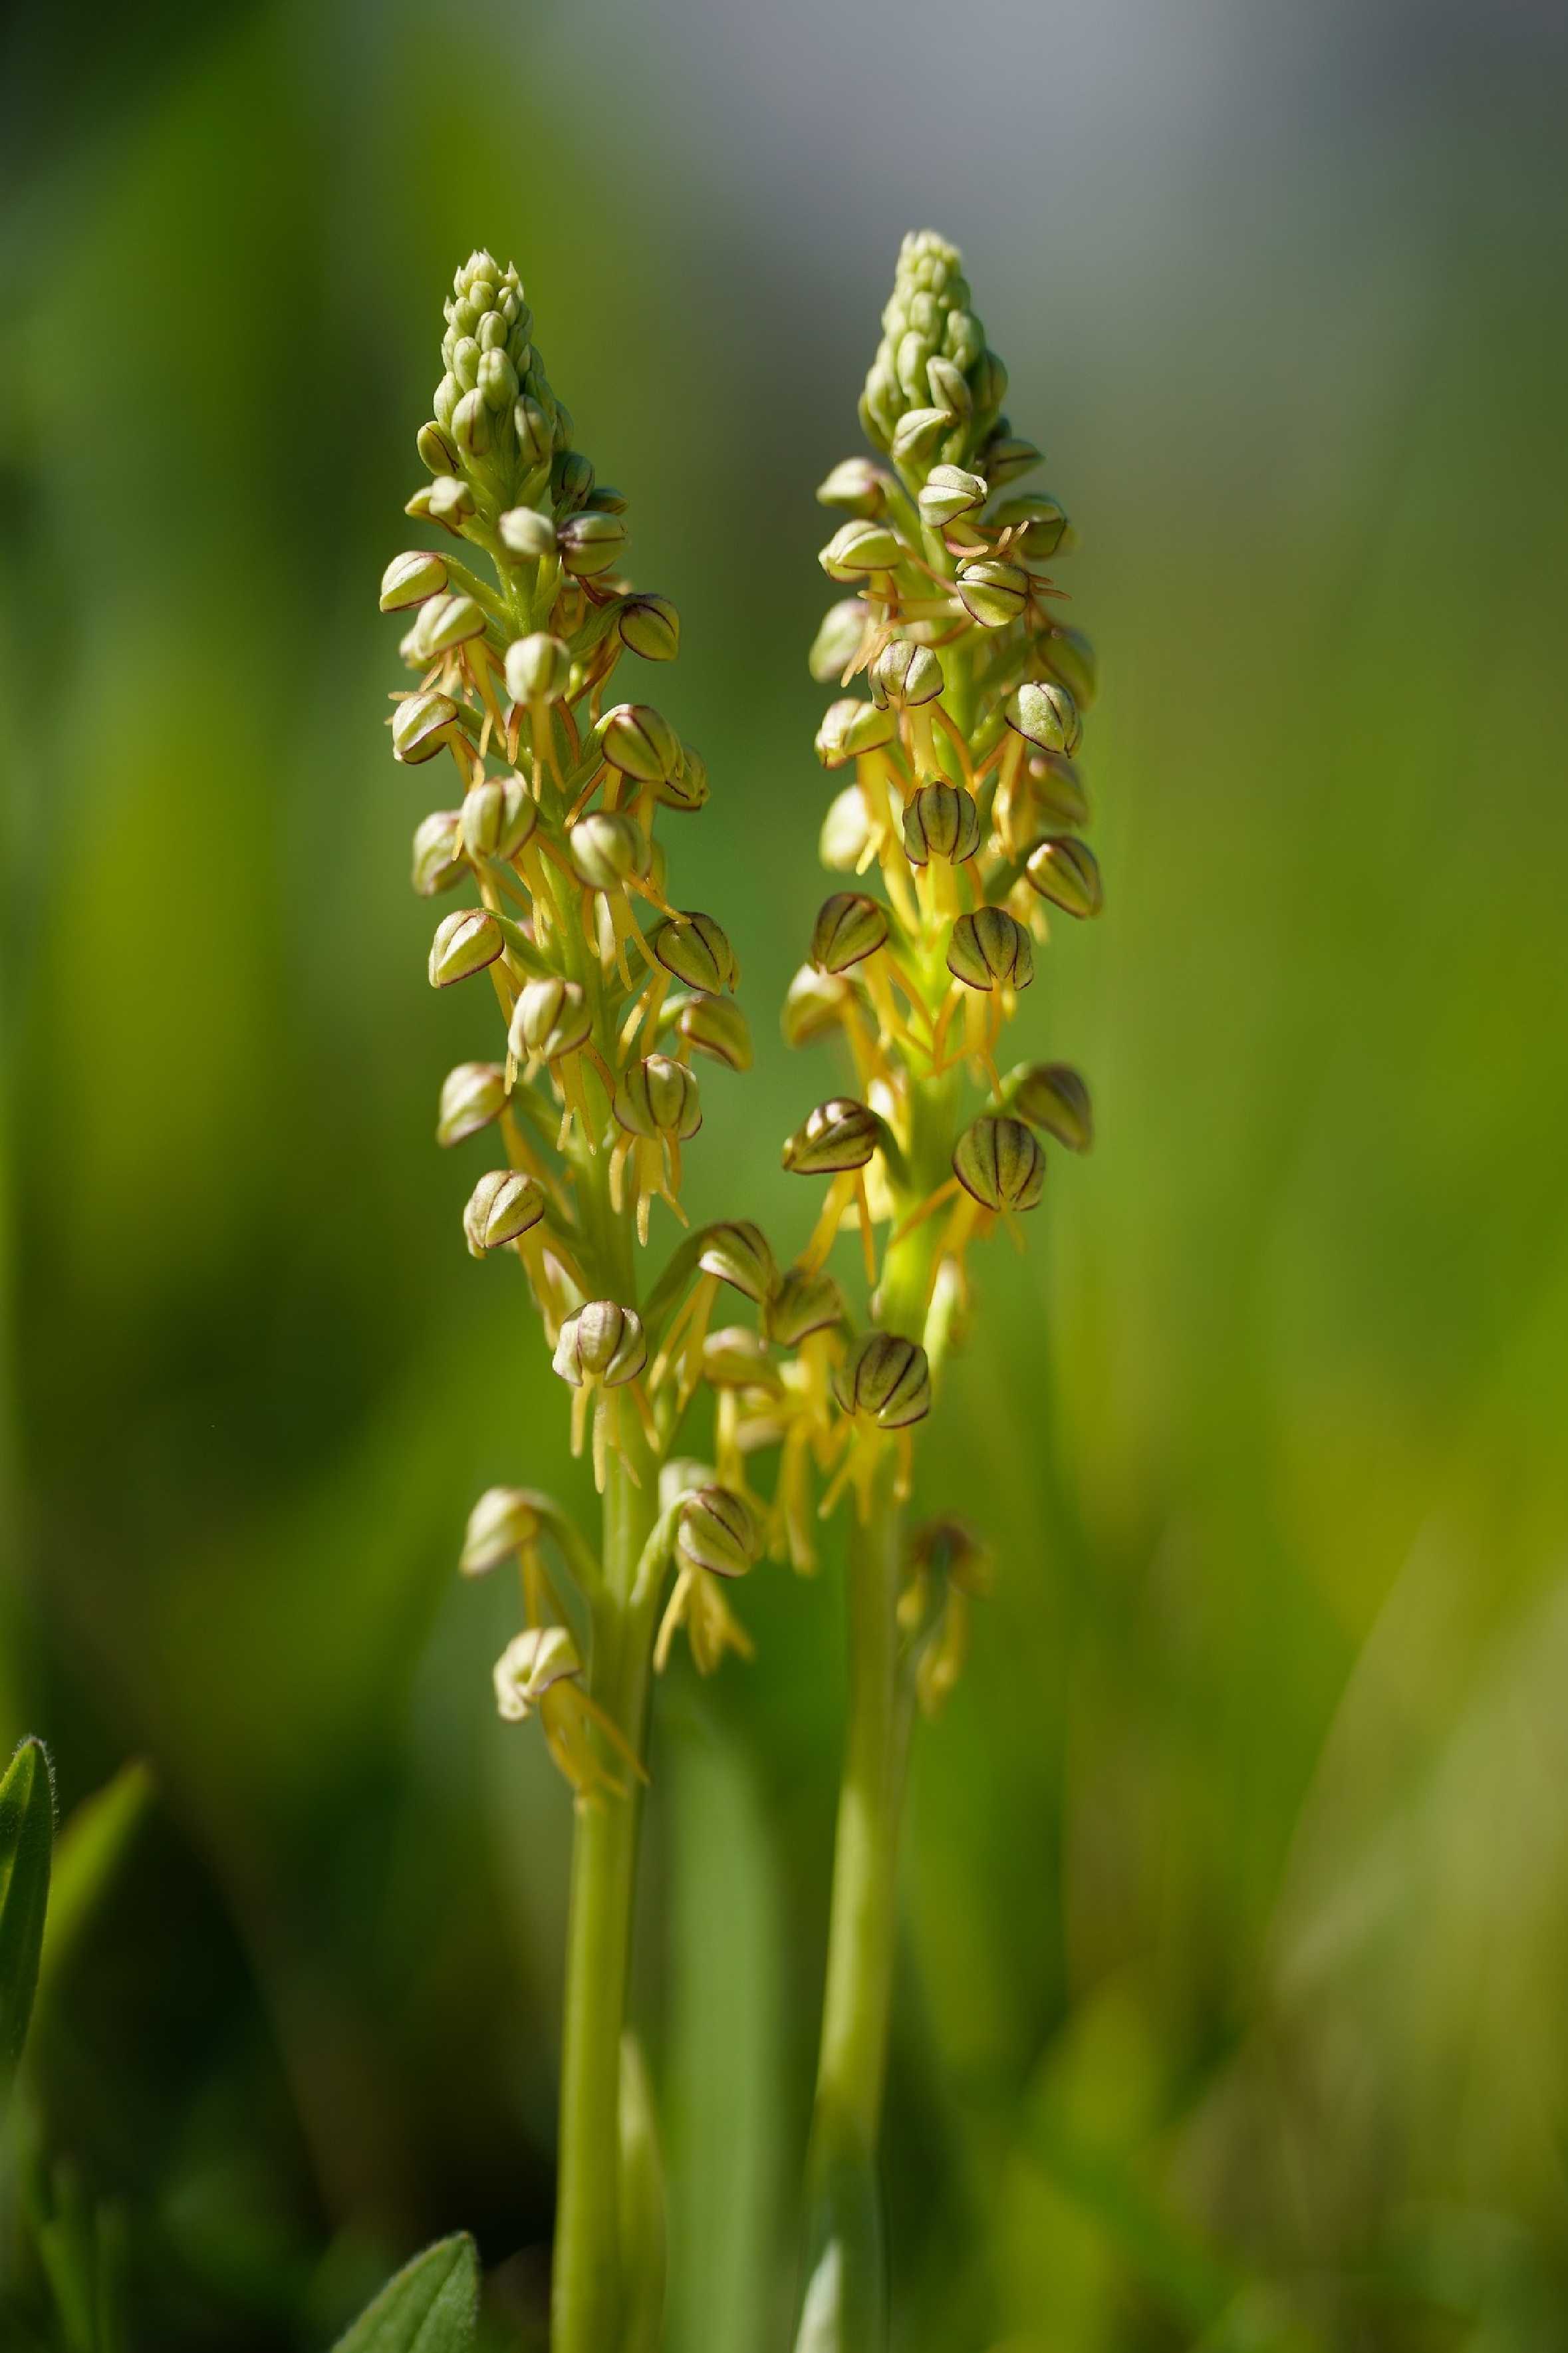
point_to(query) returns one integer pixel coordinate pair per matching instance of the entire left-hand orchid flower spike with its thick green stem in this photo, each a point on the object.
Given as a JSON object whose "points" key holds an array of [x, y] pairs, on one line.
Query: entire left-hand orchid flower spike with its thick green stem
{"points": [[606, 994]]}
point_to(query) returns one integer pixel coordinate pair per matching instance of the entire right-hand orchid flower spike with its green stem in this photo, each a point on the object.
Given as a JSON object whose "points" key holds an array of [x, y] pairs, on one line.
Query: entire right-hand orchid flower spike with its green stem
{"points": [[964, 804]]}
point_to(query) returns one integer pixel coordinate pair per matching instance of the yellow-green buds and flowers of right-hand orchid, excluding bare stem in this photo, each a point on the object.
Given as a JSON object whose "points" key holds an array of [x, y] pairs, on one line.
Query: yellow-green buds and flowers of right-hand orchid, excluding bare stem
{"points": [[966, 806]]}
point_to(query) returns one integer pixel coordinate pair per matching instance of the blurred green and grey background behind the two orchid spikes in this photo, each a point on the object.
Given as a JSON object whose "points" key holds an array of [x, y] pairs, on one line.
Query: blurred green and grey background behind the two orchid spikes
{"points": [[1237, 1933]]}
